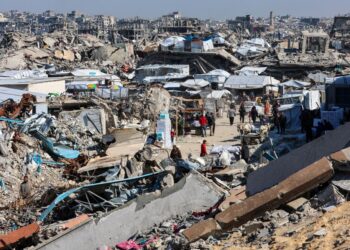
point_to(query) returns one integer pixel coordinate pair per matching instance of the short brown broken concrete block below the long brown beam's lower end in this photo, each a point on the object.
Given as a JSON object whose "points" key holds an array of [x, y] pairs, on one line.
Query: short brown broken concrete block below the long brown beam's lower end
{"points": [[201, 230]]}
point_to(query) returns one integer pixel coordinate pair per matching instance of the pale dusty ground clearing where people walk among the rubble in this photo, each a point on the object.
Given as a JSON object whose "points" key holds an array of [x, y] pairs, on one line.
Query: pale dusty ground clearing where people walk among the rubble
{"points": [[224, 135]]}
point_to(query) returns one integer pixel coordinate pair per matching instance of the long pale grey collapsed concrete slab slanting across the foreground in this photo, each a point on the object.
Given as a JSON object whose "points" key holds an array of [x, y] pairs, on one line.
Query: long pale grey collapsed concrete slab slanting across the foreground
{"points": [[194, 192]]}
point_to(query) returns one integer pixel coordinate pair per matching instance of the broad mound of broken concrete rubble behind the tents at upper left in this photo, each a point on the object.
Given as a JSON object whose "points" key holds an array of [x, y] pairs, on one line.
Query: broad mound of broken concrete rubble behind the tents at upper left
{"points": [[62, 51]]}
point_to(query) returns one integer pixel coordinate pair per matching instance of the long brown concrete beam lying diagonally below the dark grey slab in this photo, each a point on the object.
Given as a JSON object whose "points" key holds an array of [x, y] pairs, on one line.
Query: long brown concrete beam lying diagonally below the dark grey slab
{"points": [[294, 186]]}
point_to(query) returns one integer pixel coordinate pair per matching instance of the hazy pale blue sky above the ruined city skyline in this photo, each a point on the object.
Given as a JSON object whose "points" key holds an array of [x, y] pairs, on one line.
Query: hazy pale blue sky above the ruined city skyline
{"points": [[216, 9]]}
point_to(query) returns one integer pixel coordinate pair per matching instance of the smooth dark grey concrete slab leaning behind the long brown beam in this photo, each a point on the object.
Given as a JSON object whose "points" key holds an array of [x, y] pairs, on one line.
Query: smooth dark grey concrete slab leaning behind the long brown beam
{"points": [[280, 169]]}
